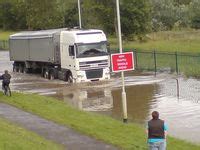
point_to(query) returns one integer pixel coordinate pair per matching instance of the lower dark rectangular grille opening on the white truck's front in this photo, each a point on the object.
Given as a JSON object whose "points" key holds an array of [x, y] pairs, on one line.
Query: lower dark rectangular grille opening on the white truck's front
{"points": [[94, 73]]}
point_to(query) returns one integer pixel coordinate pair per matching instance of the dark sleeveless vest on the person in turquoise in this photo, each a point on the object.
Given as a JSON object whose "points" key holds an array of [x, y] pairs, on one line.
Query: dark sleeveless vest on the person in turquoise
{"points": [[156, 129]]}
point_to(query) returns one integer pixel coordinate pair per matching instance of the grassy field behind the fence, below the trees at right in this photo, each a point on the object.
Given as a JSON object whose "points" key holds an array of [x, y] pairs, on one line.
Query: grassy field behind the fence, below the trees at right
{"points": [[170, 41]]}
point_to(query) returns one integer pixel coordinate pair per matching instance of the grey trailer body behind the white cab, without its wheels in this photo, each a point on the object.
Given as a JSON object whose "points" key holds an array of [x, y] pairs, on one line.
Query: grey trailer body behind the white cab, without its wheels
{"points": [[37, 46]]}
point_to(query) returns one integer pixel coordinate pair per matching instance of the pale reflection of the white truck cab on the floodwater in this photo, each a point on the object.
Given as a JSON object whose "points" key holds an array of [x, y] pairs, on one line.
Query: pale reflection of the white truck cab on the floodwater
{"points": [[88, 99]]}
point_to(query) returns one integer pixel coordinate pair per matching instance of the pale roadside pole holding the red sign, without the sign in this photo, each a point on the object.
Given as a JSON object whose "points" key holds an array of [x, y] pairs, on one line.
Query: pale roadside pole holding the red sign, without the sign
{"points": [[124, 103]]}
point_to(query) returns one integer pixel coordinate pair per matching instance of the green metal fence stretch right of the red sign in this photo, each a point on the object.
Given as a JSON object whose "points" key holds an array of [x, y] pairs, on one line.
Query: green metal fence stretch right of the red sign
{"points": [[181, 63]]}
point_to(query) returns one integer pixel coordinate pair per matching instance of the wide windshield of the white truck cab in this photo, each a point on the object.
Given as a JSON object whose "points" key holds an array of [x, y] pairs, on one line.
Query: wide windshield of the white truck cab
{"points": [[91, 49]]}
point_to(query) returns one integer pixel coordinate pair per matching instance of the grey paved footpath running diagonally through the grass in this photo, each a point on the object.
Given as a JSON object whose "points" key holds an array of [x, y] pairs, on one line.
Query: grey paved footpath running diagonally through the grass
{"points": [[71, 139]]}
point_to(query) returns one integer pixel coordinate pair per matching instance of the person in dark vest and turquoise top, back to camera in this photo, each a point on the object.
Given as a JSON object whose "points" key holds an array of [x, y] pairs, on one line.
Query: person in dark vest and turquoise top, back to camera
{"points": [[157, 132]]}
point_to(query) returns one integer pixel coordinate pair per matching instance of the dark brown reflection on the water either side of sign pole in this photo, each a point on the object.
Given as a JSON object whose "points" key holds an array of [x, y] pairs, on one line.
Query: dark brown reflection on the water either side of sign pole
{"points": [[137, 103]]}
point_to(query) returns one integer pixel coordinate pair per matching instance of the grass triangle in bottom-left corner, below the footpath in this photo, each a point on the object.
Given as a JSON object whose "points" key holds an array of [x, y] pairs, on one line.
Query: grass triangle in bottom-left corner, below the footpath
{"points": [[13, 137]]}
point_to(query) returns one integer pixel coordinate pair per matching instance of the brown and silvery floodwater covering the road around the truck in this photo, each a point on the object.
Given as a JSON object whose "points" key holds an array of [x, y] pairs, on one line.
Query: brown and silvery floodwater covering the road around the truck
{"points": [[145, 93]]}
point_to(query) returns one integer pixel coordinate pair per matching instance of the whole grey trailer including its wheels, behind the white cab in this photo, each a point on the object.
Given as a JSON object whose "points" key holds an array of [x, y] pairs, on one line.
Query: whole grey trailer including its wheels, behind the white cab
{"points": [[33, 50]]}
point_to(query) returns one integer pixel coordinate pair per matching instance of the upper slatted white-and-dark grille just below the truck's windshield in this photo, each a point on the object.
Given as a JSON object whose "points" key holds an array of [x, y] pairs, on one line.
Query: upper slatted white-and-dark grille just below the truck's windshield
{"points": [[93, 65]]}
